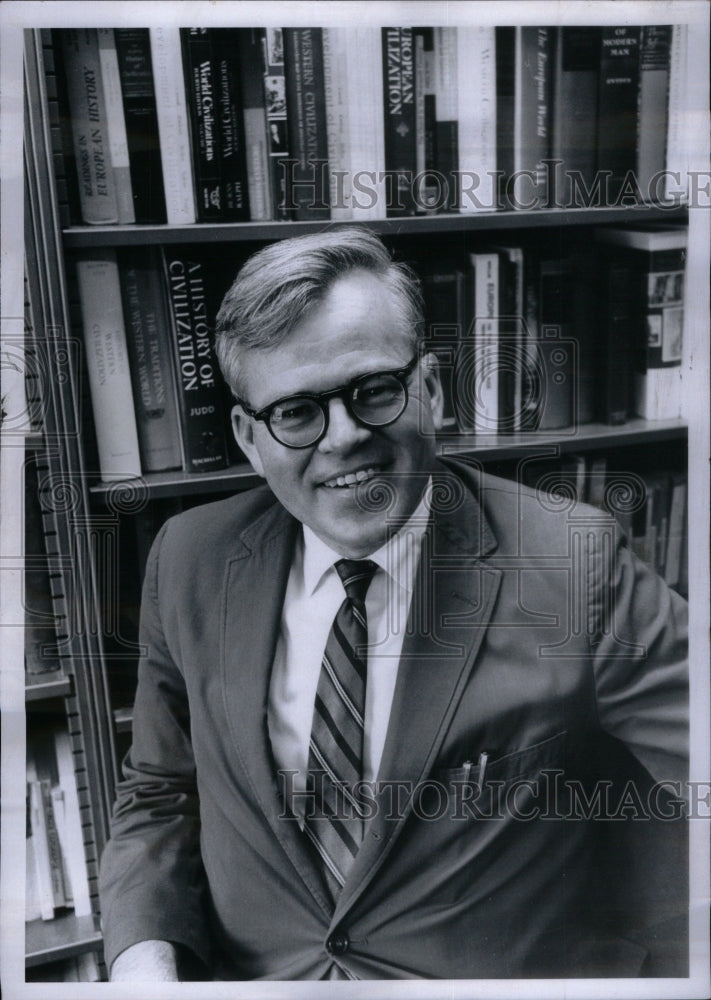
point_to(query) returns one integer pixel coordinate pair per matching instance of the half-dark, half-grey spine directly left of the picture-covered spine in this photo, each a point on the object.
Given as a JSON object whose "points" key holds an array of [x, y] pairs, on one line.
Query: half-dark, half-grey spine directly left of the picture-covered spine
{"points": [[255, 125]]}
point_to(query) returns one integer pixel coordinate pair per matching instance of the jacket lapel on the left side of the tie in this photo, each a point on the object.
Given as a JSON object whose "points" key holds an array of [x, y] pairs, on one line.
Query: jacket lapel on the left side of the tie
{"points": [[256, 579]]}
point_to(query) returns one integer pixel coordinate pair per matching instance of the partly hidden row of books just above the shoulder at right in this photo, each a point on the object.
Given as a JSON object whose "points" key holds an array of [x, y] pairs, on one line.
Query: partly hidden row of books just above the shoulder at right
{"points": [[651, 507]]}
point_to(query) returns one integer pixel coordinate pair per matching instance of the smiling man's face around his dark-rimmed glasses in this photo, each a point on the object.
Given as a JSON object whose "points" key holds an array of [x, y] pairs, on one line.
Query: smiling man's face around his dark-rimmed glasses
{"points": [[356, 329]]}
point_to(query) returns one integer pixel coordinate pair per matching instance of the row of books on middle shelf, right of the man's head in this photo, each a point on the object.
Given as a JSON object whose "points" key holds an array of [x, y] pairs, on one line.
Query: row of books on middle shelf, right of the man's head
{"points": [[535, 339]]}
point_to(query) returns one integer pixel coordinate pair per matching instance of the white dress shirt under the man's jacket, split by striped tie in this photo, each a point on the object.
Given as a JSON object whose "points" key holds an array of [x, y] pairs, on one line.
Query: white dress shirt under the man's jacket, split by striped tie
{"points": [[314, 593]]}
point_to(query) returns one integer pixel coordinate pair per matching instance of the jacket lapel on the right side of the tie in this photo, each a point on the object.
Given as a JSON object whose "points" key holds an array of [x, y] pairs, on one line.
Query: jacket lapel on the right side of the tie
{"points": [[452, 604]]}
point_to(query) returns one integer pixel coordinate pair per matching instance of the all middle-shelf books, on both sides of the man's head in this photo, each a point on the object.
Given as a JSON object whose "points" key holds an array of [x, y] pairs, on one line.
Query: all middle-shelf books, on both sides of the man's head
{"points": [[528, 340]]}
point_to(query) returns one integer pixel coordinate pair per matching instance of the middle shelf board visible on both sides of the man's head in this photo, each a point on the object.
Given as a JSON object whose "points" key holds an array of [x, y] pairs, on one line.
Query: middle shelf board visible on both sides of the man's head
{"points": [[589, 437]]}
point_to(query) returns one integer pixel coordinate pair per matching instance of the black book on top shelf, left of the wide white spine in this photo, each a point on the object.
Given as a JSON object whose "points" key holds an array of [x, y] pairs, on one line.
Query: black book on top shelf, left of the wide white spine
{"points": [[139, 105]]}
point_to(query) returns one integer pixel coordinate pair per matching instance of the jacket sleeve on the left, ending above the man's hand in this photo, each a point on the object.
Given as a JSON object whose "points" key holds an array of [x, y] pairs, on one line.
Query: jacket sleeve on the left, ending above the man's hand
{"points": [[152, 882]]}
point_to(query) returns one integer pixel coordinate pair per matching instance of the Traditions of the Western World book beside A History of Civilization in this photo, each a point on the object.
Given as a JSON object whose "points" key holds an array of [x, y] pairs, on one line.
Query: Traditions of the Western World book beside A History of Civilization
{"points": [[148, 336]]}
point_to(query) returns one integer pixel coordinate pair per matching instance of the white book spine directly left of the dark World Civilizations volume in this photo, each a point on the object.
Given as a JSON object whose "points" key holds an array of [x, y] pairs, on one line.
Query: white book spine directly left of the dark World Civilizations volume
{"points": [[176, 157]]}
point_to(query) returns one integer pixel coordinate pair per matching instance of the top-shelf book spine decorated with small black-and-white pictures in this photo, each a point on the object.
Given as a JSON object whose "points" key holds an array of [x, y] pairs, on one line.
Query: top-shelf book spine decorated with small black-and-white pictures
{"points": [[276, 111]]}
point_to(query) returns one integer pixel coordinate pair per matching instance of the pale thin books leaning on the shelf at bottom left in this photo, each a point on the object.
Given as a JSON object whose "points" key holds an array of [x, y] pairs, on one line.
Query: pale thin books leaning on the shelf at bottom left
{"points": [[56, 873]]}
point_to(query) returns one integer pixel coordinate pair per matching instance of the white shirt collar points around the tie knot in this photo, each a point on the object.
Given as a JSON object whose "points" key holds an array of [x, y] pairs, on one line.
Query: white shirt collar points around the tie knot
{"points": [[398, 556]]}
